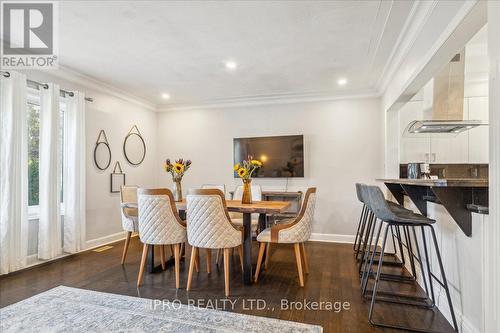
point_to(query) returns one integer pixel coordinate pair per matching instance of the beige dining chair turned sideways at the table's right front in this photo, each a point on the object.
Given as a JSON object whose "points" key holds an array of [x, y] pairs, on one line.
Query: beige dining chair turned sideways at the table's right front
{"points": [[296, 231]]}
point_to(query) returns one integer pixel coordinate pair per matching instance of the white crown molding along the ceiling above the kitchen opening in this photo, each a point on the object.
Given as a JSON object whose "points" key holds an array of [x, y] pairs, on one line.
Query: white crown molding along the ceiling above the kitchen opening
{"points": [[416, 20]]}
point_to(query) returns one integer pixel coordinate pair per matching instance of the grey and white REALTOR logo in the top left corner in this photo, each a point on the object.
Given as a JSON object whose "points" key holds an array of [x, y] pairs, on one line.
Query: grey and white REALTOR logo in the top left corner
{"points": [[29, 35]]}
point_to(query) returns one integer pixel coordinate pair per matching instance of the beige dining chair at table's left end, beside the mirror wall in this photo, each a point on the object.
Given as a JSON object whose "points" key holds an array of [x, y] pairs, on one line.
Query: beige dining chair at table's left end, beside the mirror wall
{"points": [[128, 195]]}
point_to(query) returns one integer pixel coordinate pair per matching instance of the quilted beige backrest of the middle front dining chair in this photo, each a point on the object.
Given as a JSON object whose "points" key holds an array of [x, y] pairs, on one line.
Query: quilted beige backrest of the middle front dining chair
{"points": [[208, 222]]}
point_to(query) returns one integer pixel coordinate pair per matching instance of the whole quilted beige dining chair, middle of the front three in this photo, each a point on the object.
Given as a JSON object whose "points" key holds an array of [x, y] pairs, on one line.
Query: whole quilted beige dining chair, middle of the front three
{"points": [[209, 227]]}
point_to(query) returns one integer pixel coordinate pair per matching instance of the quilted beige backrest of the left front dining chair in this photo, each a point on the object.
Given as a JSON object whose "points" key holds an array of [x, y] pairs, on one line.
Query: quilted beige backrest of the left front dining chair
{"points": [[159, 221]]}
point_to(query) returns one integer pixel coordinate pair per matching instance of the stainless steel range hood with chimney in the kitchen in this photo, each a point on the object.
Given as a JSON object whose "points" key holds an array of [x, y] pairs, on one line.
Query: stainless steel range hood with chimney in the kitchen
{"points": [[444, 102]]}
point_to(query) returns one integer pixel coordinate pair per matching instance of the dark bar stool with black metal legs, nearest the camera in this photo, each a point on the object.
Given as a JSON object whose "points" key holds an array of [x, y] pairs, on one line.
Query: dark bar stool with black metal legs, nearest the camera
{"points": [[407, 221]]}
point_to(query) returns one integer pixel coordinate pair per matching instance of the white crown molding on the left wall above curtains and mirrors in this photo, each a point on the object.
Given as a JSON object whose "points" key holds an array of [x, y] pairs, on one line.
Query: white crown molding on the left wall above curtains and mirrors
{"points": [[84, 80]]}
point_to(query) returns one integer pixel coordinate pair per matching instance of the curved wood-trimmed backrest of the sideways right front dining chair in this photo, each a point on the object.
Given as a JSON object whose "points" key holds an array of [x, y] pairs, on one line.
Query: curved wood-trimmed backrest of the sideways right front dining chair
{"points": [[300, 230]]}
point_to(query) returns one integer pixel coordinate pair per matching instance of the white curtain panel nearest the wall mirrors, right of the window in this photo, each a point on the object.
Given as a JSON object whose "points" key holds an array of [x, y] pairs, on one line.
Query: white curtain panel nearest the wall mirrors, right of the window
{"points": [[74, 173]]}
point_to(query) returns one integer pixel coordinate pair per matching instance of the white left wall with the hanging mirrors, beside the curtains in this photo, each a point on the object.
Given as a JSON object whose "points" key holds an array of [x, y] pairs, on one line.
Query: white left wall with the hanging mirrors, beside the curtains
{"points": [[116, 116]]}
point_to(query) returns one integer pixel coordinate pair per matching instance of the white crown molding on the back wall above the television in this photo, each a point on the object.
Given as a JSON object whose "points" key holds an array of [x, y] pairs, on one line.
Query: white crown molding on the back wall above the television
{"points": [[275, 99]]}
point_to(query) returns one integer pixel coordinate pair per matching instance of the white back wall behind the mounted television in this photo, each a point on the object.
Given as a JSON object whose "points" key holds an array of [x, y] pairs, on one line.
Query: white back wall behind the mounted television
{"points": [[343, 145]]}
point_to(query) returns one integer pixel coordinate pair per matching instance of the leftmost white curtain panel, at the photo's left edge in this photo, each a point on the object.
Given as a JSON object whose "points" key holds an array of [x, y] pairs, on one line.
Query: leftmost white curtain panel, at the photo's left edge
{"points": [[13, 173]]}
